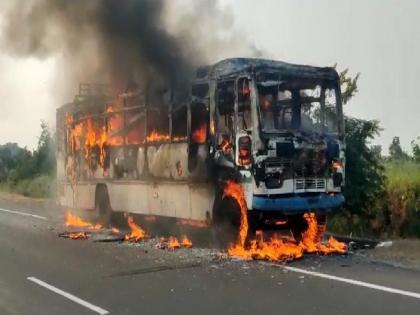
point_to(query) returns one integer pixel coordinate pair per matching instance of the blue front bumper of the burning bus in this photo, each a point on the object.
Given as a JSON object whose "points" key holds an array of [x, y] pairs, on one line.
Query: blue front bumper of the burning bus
{"points": [[298, 204]]}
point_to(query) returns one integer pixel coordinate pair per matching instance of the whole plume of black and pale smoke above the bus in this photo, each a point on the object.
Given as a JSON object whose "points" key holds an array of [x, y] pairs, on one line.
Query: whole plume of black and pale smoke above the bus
{"points": [[118, 41]]}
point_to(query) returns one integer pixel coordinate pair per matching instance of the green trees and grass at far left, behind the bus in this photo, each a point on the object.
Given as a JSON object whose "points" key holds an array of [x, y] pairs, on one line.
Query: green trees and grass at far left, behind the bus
{"points": [[30, 173]]}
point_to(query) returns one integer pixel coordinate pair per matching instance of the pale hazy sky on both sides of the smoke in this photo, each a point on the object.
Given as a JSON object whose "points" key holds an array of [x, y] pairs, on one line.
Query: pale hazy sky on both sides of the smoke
{"points": [[378, 38]]}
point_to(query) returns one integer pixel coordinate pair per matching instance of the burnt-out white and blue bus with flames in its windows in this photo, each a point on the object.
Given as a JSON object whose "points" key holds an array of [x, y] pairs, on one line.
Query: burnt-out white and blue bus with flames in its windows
{"points": [[275, 128]]}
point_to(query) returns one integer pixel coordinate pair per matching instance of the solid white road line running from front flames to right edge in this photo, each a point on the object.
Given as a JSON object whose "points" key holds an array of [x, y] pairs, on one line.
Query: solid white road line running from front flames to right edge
{"points": [[351, 281]]}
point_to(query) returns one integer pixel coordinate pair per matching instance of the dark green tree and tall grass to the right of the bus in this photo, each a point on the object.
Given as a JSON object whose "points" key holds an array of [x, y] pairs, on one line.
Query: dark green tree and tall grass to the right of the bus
{"points": [[382, 192]]}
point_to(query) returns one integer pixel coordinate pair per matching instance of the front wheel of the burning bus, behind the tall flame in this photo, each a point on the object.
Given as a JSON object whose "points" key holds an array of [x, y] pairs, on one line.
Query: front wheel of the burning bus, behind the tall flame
{"points": [[226, 222]]}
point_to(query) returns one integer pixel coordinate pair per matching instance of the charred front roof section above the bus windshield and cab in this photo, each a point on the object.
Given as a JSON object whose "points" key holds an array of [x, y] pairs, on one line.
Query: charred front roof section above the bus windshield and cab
{"points": [[235, 66]]}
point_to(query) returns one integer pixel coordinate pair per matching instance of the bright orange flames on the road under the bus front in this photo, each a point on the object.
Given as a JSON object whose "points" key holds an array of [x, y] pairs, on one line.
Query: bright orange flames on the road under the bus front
{"points": [[275, 248]]}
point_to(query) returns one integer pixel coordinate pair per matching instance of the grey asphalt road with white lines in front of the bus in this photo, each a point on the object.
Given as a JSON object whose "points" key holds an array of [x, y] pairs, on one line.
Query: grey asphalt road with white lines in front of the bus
{"points": [[44, 274]]}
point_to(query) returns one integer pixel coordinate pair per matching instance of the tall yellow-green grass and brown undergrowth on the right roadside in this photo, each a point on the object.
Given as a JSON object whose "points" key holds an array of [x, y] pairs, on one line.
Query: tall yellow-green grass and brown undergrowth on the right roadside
{"points": [[396, 214]]}
